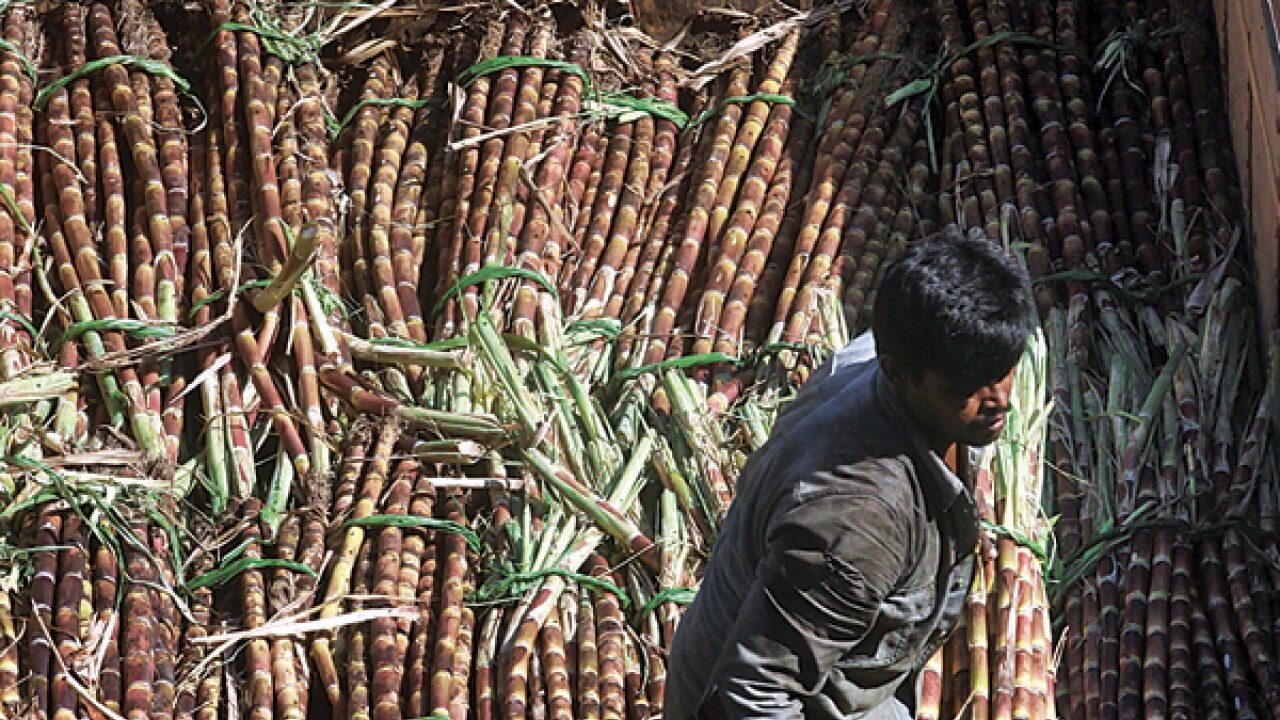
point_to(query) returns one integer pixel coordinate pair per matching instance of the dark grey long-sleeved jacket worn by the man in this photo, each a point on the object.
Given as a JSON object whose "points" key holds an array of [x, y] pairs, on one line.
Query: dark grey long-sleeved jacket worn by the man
{"points": [[842, 568]]}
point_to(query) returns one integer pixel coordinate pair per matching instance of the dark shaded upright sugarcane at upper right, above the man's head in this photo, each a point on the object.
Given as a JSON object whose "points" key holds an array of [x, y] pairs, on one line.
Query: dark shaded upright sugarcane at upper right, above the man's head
{"points": [[1095, 166]]}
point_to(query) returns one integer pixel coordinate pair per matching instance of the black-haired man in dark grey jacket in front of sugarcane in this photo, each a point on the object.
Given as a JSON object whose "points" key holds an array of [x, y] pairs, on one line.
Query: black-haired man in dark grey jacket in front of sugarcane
{"points": [[845, 559]]}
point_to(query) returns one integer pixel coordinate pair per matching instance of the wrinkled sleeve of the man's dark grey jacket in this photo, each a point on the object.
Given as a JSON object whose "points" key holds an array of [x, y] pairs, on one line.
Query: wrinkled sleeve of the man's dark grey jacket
{"points": [[829, 566]]}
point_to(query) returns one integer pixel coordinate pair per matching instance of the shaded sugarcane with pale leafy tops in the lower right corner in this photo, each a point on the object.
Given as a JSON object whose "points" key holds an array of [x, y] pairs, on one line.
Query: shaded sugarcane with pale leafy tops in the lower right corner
{"points": [[1171, 489]]}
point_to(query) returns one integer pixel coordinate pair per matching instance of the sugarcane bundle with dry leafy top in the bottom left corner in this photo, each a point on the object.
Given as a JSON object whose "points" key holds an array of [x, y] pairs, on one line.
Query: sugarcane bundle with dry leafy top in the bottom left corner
{"points": [[115, 600]]}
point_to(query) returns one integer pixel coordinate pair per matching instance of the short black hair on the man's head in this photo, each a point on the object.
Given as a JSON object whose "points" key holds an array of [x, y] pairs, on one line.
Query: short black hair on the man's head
{"points": [[959, 307]]}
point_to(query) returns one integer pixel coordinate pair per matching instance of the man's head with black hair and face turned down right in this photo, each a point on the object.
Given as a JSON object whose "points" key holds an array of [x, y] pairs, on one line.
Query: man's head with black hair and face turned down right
{"points": [[952, 320]]}
